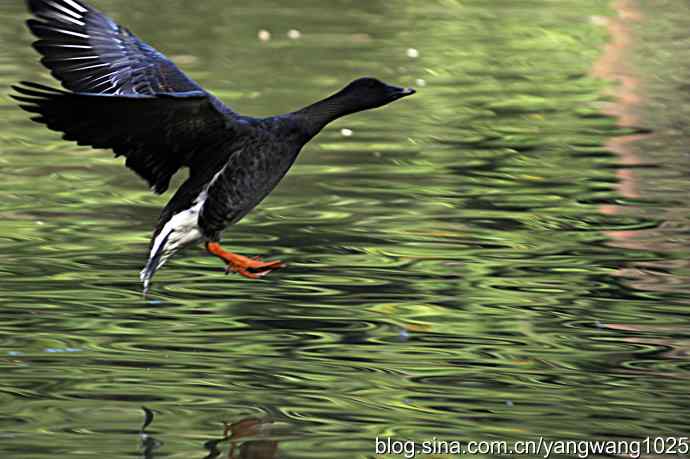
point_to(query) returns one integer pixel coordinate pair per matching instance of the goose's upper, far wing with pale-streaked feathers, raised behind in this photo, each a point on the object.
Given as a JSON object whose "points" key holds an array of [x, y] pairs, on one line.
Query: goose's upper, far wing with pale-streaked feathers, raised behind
{"points": [[89, 52]]}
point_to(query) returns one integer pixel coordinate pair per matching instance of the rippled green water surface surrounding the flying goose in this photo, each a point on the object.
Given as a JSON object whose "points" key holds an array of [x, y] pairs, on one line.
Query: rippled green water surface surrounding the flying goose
{"points": [[477, 262]]}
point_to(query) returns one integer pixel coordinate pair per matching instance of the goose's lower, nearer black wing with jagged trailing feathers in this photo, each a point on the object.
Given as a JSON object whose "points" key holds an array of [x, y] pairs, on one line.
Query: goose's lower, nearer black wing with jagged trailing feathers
{"points": [[158, 134]]}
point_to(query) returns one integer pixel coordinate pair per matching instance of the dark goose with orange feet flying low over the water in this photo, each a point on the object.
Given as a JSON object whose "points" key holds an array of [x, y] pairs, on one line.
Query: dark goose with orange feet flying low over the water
{"points": [[124, 95]]}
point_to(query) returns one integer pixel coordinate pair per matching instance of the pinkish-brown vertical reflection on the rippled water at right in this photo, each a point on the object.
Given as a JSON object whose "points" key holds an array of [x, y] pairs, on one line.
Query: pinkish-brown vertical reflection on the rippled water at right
{"points": [[628, 107]]}
